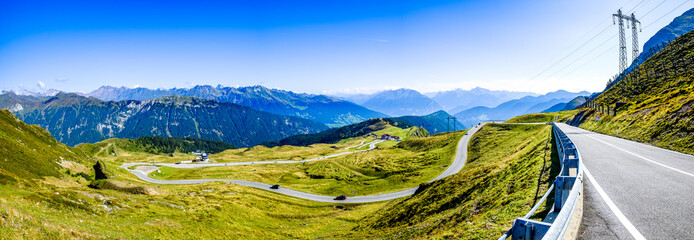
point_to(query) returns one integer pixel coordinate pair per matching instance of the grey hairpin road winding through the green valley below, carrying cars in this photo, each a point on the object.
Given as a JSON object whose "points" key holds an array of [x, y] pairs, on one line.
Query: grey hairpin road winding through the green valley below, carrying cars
{"points": [[455, 167]]}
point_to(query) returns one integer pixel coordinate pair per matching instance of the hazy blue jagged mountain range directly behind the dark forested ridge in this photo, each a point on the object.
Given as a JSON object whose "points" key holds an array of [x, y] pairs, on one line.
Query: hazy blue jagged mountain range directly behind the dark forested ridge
{"points": [[327, 110]]}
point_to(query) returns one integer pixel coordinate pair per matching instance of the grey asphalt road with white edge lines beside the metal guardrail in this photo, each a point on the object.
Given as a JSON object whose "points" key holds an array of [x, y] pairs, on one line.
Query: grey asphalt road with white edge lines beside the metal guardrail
{"points": [[634, 190]]}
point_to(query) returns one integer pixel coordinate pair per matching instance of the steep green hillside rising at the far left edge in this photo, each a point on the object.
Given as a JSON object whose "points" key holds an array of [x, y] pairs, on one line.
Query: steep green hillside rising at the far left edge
{"points": [[29, 152]]}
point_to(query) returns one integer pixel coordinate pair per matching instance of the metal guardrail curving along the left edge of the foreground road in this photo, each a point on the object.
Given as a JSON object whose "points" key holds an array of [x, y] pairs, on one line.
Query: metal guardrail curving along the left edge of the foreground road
{"points": [[566, 186]]}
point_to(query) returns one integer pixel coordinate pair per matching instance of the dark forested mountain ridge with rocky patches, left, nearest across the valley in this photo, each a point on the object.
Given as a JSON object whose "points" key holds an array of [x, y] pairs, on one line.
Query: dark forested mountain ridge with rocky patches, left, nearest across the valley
{"points": [[73, 119]]}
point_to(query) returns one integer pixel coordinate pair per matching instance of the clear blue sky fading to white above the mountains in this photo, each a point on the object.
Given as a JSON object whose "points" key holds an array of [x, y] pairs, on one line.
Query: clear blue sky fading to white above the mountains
{"points": [[318, 46]]}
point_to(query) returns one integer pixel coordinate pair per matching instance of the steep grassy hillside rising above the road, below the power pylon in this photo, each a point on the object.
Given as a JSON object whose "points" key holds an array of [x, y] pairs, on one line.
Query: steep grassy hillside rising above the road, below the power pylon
{"points": [[658, 101]]}
